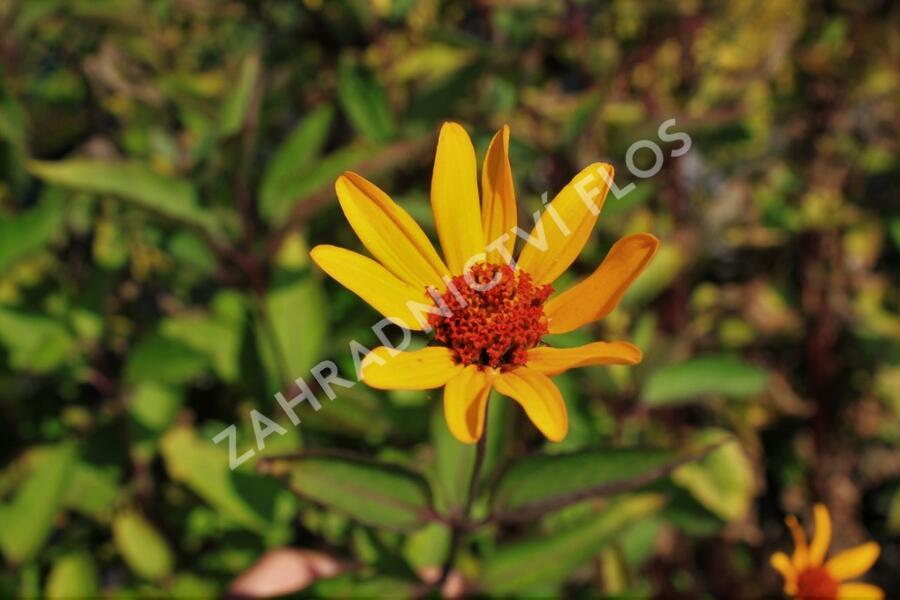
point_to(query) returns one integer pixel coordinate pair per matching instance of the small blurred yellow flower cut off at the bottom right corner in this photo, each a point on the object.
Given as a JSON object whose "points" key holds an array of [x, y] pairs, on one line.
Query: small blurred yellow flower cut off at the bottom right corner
{"points": [[807, 576]]}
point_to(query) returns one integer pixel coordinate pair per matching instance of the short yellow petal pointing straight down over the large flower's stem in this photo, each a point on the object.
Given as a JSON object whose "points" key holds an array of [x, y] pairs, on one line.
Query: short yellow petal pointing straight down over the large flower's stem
{"points": [[465, 403]]}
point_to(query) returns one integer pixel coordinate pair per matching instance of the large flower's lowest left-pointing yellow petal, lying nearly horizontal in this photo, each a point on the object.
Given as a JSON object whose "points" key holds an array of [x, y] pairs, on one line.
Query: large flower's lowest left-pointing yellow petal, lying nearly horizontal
{"points": [[417, 370]]}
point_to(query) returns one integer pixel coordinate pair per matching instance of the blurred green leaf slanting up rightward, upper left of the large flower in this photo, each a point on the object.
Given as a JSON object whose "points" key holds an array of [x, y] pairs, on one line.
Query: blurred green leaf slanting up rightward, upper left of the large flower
{"points": [[295, 155]]}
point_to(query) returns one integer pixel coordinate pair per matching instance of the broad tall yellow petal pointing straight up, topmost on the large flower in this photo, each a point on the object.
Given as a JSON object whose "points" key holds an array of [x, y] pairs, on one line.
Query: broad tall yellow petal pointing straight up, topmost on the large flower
{"points": [[454, 198]]}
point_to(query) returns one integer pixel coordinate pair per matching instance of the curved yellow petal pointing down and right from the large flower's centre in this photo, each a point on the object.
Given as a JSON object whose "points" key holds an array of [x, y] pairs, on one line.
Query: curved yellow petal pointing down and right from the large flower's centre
{"points": [[539, 397]]}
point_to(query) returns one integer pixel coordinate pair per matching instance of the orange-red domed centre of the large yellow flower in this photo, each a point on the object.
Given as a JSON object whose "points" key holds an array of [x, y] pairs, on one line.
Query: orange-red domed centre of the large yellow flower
{"points": [[491, 316]]}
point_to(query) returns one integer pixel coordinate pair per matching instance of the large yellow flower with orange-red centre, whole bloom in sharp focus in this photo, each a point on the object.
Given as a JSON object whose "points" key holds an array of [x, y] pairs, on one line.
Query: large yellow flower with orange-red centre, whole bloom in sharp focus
{"points": [[487, 313]]}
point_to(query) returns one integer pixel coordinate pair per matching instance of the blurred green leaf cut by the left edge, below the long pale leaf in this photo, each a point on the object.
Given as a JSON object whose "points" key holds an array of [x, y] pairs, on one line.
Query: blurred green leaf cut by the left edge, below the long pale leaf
{"points": [[24, 233]]}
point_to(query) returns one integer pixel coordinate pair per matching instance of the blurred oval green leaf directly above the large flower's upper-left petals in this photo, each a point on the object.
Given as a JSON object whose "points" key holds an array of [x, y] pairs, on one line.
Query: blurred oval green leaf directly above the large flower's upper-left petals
{"points": [[364, 102]]}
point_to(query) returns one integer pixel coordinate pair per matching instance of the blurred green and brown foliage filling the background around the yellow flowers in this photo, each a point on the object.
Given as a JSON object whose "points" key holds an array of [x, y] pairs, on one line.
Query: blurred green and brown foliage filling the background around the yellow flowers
{"points": [[166, 165]]}
